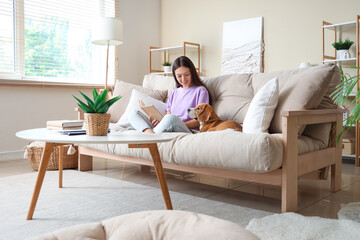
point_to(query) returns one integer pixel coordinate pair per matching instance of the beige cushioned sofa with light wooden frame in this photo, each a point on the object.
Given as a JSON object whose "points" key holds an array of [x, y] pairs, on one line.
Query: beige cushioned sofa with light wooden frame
{"points": [[277, 158]]}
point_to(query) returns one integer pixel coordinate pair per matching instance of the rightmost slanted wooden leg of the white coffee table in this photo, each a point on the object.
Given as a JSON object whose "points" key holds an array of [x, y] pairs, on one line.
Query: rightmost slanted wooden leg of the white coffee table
{"points": [[154, 151]]}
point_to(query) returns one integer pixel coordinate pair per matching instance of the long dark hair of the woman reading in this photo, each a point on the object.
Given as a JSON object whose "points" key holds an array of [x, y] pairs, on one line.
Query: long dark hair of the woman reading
{"points": [[184, 61]]}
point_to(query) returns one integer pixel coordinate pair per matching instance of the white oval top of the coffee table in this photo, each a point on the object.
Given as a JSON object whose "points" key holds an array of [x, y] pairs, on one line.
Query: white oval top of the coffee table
{"points": [[128, 137]]}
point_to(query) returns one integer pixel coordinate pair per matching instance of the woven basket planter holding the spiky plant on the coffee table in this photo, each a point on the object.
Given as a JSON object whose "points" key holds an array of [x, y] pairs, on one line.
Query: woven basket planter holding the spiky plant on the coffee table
{"points": [[97, 124]]}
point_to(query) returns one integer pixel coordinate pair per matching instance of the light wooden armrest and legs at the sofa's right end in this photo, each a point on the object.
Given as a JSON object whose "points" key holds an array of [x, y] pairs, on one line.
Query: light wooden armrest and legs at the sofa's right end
{"points": [[295, 165]]}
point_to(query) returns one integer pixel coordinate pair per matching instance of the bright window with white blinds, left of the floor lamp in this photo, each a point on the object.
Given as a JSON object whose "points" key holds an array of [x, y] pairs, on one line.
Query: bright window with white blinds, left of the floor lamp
{"points": [[51, 41]]}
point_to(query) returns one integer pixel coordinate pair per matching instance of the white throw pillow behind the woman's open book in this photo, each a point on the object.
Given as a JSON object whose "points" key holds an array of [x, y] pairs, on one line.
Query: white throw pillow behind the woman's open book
{"points": [[134, 105]]}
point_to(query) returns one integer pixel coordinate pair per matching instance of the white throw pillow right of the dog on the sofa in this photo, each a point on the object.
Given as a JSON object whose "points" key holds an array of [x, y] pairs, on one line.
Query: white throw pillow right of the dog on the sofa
{"points": [[262, 108]]}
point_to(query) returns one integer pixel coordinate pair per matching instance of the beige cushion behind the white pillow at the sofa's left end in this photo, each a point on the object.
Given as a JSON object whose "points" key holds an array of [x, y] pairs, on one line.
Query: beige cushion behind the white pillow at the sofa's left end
{"points": [[124, 89]]}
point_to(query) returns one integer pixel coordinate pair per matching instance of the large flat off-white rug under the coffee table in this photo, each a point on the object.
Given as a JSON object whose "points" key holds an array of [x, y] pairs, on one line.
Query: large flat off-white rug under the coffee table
{"points": [[88, 198]]}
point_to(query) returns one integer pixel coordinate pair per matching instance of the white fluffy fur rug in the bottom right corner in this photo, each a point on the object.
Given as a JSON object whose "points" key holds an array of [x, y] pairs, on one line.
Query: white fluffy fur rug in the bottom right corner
{"points": [[292, 226]]}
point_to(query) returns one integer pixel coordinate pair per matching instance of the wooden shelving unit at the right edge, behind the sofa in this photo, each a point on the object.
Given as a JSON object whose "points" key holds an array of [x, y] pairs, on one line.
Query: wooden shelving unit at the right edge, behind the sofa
{"points": [[338, 30]]}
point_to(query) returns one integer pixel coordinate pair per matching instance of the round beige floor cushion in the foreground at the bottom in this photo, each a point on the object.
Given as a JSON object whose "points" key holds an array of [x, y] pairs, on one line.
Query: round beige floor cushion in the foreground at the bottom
{"points": [[160, 224]]}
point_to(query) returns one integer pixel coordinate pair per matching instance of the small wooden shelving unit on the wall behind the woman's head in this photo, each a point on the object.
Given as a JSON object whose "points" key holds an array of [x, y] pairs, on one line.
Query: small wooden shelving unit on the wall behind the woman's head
{"points": [[177, 51]]}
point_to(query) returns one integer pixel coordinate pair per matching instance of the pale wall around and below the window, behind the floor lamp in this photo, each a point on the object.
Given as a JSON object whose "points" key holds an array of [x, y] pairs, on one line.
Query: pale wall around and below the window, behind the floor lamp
{"points": [[30, 107]]}
